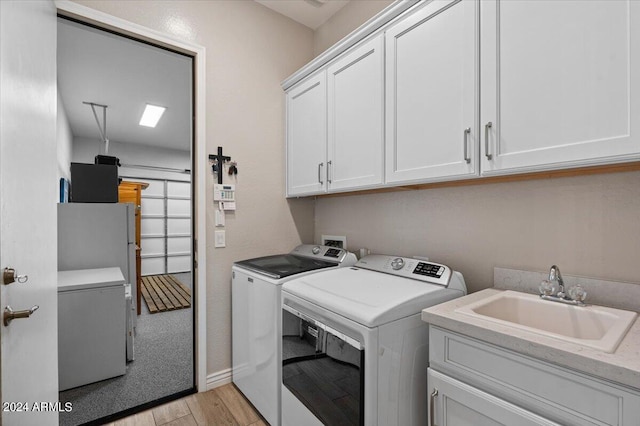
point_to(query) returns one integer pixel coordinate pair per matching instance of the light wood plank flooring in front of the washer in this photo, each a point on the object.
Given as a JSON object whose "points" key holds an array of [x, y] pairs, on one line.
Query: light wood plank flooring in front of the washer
{"points": [[224, 405]]}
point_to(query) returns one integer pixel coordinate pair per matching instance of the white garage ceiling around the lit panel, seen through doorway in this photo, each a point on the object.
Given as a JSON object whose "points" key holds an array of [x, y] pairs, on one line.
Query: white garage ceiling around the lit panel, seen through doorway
{"points": [[100, 67]]}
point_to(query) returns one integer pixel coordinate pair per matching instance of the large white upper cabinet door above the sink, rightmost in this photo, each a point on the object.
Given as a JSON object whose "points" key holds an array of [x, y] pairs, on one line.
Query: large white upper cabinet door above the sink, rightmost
{"points": [[560, 84]]}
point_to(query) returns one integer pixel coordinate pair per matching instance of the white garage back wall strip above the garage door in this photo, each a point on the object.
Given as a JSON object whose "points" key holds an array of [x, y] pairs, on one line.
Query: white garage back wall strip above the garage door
{"points": [[85, 150]]}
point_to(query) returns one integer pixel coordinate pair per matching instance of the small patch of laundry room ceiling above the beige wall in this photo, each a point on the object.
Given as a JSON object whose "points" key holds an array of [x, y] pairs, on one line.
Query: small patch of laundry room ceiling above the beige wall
{"points": [[311, 13]]}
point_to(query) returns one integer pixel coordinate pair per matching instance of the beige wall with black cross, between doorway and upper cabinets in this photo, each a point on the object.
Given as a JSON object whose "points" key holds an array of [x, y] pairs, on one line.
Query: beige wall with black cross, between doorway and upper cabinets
{"points": [[250, 50]]}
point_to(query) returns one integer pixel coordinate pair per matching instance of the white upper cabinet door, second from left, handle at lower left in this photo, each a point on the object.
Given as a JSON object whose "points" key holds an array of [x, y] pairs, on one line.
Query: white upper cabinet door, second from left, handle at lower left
{"points": [[355, 85]]}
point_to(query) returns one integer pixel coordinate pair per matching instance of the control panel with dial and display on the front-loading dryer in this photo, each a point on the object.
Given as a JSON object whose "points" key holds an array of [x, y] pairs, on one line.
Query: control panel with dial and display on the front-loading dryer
{"points": [[431, 272]]}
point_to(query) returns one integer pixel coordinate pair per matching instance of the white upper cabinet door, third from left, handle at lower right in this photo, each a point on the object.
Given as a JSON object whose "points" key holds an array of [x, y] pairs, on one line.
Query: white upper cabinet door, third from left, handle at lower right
{"points": [[431, 93]]}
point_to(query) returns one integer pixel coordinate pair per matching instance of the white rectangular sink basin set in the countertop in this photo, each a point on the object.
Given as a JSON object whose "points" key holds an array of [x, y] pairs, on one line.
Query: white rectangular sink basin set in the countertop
{"points": [[593, 326]]}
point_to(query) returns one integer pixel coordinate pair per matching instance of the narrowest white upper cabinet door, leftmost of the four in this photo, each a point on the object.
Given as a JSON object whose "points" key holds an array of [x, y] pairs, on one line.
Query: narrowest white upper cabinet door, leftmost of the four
{"points": [[307, 137]]}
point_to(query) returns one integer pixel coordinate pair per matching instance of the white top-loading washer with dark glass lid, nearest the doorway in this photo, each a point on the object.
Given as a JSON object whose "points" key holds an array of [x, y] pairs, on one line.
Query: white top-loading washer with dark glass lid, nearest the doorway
{"points": [[256, 317]]}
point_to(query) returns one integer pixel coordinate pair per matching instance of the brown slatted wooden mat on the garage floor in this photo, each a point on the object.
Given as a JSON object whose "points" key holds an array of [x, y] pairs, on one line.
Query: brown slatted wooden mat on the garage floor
{"points": [[165, 293]]}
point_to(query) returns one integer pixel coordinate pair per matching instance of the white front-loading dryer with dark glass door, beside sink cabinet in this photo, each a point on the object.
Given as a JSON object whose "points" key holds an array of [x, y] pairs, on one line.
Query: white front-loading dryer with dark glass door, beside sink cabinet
{"points": [[354, 348]]}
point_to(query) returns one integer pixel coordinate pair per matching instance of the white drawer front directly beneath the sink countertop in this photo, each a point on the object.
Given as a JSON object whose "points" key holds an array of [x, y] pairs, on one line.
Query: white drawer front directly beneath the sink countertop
{"points": [[562, 395]]}
